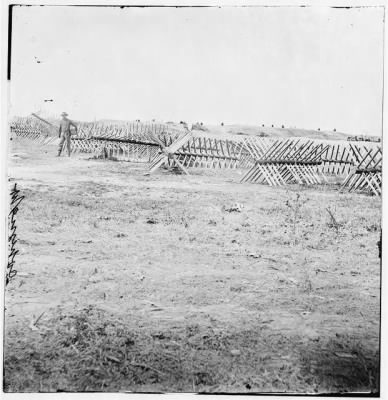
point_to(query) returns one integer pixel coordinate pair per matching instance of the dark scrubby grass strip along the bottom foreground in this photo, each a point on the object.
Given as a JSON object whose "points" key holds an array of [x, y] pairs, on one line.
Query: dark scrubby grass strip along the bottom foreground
{"points": [[90, 350]]}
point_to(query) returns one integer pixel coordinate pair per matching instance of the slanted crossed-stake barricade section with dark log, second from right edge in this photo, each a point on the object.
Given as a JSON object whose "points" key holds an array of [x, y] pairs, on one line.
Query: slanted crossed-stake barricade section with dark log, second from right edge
{"points": [[288, 161]]}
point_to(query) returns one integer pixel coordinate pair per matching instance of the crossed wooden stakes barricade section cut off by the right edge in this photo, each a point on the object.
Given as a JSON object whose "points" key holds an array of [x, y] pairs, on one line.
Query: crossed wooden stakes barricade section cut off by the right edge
{"points": [[366, 176]]}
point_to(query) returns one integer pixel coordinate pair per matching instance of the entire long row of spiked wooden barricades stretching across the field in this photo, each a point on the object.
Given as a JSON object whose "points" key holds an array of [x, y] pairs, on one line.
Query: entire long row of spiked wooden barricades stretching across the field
{"points": [[272, 161]]}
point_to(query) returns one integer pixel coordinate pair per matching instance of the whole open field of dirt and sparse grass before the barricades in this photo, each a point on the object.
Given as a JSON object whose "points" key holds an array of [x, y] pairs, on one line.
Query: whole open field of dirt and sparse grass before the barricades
{"points": [[128, 282]]}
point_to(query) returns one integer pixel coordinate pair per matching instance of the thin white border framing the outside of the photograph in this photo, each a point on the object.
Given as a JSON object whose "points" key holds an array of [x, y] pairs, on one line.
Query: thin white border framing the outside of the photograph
{"points": [[4, 90]]}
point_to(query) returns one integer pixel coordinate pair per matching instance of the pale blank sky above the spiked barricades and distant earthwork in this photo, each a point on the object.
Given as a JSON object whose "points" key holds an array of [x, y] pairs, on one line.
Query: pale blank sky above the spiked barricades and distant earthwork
{"points": [[305, 67]]}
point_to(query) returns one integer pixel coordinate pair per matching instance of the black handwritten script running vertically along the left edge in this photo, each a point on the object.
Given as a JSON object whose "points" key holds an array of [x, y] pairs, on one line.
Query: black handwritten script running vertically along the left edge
{"points": [[16, 199]]}
